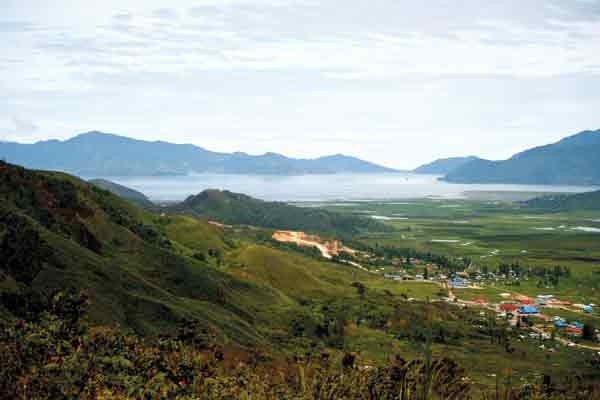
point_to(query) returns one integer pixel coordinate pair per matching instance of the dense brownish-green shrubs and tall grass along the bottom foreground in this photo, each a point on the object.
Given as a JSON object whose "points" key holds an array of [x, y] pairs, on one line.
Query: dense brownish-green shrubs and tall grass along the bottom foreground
{"points": [[51, 354]]}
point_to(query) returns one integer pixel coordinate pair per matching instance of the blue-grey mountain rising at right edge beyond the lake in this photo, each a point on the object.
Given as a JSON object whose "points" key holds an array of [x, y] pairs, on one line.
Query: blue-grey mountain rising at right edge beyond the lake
{"points": [[574, 160]]}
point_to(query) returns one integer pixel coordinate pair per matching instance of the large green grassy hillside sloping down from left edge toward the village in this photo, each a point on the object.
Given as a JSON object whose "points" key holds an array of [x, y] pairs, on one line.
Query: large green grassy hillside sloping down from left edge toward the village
{"points": [[145, 272]]}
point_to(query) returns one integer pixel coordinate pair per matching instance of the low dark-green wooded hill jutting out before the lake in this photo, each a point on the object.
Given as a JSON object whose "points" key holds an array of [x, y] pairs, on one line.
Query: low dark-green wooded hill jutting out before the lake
{"points": [[239, 209]]}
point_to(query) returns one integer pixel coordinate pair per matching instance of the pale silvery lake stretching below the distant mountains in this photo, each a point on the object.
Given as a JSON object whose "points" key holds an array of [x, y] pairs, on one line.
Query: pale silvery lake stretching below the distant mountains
{"points": [[323, 187]]}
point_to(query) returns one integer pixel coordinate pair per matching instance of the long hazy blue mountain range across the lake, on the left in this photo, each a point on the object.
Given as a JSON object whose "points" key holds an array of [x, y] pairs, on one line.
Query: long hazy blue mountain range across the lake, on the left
{"points": [[102, 154]]}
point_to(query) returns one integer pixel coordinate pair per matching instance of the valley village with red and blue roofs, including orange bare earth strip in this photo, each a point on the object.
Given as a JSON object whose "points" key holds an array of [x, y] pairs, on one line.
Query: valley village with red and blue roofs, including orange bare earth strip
{"points": [[458, 279]]}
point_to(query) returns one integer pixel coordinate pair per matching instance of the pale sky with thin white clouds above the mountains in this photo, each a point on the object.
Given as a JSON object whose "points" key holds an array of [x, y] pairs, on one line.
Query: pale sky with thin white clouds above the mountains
{"points": [[396, 82]]}
